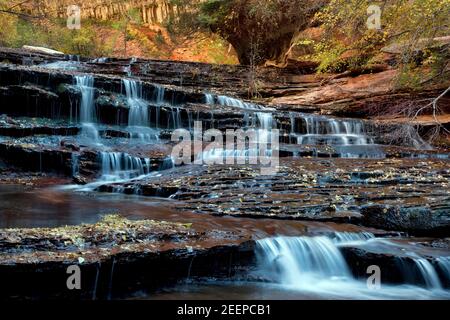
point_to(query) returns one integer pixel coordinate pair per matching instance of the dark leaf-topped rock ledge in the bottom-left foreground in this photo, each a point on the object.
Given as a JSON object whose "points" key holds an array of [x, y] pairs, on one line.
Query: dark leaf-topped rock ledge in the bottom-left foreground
{"points": [[116, 257]]}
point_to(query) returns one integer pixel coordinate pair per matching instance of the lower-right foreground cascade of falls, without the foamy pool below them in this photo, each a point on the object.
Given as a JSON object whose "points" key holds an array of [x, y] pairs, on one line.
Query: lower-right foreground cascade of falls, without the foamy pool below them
{"points": [[302, 262]]}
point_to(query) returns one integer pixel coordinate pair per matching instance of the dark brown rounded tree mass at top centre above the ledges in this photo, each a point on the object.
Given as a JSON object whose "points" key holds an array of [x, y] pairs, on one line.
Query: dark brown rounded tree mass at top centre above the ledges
{"points": [[260, 31]]}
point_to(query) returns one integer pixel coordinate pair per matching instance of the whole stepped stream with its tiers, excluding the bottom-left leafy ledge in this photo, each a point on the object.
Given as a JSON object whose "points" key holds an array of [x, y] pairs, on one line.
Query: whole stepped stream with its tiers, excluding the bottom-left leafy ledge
{"points": [[315, 225]]}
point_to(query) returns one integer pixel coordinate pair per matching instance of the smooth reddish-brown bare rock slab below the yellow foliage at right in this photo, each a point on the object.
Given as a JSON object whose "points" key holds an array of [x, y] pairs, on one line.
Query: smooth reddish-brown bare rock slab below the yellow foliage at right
{"points": [[361, 96]]}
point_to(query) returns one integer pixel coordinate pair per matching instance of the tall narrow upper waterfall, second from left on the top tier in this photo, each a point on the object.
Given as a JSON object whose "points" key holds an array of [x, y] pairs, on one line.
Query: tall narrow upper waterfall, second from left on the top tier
{"points": [[138, 114]]}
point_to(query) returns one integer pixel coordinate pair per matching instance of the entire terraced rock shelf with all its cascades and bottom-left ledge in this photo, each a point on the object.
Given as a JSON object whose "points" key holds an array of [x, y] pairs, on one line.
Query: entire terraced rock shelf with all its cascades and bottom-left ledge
{"points": [[88, 178]]}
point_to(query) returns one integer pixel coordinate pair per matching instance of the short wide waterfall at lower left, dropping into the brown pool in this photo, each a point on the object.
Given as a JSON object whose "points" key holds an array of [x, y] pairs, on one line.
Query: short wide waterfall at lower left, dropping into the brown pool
{"points": [[119, 166]]}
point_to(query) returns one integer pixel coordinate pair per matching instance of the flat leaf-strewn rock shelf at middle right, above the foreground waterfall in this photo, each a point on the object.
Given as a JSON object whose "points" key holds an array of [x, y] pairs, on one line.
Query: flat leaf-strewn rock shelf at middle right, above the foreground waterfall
{"points": [[313, 189]]}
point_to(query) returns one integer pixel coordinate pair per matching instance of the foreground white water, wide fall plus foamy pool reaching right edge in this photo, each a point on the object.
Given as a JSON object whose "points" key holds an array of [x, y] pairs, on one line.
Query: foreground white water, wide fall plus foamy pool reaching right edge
{"points": [[315, 266]]}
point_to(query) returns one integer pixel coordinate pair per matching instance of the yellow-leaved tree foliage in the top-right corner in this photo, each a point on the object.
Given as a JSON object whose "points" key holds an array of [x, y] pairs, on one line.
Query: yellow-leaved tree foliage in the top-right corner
{"points": [[408, 26]]}
